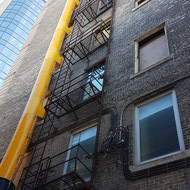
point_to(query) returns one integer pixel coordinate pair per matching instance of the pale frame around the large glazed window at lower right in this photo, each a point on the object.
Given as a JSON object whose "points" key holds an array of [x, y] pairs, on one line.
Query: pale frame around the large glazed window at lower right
{"points": [[178, 128]]}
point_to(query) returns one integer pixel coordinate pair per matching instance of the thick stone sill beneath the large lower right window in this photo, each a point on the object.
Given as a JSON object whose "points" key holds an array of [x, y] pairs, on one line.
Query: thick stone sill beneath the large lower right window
{"points": [[176, 156]]}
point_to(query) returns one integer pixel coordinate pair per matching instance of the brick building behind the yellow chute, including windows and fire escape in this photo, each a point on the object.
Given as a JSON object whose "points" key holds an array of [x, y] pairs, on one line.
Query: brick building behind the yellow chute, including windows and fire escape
{"points": [[118, 113]]}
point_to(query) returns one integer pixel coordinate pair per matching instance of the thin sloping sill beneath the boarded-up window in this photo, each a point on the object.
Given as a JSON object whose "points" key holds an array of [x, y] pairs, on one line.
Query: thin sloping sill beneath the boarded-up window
{"points": [[165, 60]]}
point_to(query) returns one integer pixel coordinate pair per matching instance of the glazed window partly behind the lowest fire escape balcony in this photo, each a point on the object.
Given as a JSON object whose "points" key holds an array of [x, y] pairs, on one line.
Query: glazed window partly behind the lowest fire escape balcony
{"points": [[86, 139]]}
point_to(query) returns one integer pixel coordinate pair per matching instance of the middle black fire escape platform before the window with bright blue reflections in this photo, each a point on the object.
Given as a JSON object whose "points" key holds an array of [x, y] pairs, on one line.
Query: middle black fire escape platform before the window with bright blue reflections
{"points": [[75, 94]]}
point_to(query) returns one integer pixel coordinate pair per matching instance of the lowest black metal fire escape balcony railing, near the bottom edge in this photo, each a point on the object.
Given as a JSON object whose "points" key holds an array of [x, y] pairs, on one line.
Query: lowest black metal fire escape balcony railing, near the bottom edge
{"points": [[70, 169]]}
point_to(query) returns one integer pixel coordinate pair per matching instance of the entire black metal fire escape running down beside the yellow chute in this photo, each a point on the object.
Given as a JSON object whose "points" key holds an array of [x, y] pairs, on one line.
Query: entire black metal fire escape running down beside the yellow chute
{"points": [[68, 95]]}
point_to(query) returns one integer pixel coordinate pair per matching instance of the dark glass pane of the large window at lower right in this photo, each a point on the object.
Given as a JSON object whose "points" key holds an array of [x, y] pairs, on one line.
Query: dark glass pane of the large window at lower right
{"points": [[158, 134]]}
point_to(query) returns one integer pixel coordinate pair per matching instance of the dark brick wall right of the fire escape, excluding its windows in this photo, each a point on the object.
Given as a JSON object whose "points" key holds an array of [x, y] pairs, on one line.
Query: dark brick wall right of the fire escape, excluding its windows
{"points": [[124, 87]]}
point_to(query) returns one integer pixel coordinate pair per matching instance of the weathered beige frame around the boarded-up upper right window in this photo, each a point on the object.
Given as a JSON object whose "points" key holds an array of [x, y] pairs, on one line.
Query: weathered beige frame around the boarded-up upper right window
{"points": [[143, 38]]}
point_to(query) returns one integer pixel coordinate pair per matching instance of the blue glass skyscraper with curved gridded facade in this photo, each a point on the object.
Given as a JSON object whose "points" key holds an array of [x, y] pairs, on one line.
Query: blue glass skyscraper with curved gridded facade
{"points": [[15, 25]]}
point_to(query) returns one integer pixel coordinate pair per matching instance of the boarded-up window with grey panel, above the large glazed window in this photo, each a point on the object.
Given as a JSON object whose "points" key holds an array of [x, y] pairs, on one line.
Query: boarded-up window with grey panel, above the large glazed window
{"points": [[151, 49]]}
